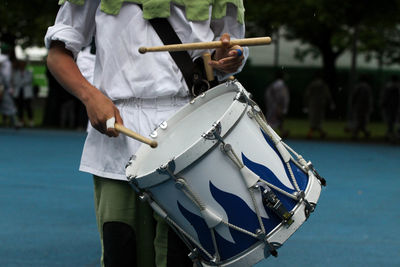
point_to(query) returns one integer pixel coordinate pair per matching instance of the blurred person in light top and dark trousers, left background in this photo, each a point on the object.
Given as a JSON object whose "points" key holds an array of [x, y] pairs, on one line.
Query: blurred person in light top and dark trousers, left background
{"points": [[22, 83]]}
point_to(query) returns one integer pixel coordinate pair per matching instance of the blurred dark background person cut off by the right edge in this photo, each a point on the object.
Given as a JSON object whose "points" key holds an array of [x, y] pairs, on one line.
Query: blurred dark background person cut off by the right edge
{"points": [[389, 104]]}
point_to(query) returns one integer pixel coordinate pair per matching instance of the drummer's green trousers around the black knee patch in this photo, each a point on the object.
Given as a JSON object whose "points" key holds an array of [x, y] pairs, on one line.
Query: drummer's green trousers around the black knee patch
{"points": [[116, 201]]}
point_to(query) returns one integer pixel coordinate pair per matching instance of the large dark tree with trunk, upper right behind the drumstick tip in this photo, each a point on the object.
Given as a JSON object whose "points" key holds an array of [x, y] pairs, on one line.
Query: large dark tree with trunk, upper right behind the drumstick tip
{"points": [[329, 27]]}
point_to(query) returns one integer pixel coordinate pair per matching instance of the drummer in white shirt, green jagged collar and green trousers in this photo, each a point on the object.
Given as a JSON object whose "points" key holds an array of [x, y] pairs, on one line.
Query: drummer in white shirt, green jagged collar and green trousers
{"points": [[139, 91]]}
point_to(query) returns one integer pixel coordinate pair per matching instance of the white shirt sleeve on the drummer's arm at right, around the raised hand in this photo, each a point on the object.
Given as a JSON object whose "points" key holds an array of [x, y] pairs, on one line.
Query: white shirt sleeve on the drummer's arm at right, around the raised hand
{"points": [[229, 24]]}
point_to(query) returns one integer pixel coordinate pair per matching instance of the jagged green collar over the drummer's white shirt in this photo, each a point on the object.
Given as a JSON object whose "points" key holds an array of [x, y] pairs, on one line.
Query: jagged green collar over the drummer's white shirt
{"points": [[196, 10]]}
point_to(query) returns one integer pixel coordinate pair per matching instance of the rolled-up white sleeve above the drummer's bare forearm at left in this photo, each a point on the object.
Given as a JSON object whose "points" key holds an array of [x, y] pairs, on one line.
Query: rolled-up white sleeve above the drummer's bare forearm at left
{"points": [[74, 26]]}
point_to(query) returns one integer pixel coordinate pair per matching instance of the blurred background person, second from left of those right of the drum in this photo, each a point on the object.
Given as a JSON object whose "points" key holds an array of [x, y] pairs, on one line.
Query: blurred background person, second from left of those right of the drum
{"points": [[317, 97]]}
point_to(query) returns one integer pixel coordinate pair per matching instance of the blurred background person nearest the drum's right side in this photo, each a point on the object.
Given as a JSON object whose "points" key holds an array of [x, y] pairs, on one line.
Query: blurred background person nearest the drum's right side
{"points": [[277, 98]]}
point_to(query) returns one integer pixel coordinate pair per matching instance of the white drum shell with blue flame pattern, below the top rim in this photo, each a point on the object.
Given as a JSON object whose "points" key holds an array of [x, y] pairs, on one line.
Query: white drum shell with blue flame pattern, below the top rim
{"points": [[217, 182]]}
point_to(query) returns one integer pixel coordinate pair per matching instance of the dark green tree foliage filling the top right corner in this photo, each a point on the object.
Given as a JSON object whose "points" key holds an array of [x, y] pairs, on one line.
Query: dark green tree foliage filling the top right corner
{"points": [[330, 27]]}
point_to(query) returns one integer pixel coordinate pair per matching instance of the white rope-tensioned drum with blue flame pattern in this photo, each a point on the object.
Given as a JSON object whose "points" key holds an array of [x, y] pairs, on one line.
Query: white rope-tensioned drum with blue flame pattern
{"points": [[224, 180]]}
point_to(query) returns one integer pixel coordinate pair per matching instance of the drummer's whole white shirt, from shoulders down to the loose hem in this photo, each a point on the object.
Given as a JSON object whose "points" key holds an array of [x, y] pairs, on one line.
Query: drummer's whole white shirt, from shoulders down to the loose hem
{"points": [[123, 74]]}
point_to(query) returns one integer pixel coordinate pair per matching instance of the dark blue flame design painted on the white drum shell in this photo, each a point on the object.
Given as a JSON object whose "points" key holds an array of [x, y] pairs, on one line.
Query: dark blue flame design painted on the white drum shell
{"points": [[240, 214]]}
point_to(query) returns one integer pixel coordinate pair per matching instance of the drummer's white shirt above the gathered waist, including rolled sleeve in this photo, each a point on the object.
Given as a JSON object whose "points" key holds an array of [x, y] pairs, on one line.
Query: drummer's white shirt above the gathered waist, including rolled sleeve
{"points": [[121, 72]]}
